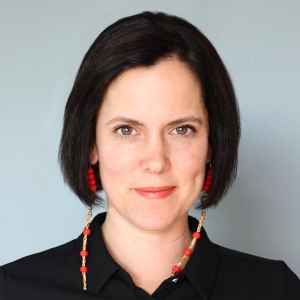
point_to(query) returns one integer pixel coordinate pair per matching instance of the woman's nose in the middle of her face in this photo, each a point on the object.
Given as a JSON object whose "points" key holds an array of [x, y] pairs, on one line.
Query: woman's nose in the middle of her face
{"points": [[155, 158]]}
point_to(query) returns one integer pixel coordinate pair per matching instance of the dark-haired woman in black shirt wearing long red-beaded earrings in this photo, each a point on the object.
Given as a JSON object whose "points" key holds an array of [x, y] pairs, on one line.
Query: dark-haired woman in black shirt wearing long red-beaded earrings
{"points": [[152, 120]]}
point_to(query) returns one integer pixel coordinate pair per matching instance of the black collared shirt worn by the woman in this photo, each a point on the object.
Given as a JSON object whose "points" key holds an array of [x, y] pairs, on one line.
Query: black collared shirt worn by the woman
{"points": [[212, 272]]}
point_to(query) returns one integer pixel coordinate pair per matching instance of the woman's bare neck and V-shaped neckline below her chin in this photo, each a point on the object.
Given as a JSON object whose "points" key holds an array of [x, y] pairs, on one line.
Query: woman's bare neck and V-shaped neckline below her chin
{"points": [[148, 256]]}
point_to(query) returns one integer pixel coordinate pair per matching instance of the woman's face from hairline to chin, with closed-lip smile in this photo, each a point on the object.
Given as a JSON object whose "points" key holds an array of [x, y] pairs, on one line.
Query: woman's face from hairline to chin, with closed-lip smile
{"points": [[152, 145]]}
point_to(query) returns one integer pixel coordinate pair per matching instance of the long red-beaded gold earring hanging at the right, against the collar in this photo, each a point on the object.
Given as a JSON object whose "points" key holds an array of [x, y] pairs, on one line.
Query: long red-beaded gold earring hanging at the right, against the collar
{"points": [[196, 235]]}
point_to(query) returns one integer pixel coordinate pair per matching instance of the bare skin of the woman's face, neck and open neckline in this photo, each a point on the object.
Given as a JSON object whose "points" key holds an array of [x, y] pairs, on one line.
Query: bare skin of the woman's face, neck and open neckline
{"points": [[152, 131]]}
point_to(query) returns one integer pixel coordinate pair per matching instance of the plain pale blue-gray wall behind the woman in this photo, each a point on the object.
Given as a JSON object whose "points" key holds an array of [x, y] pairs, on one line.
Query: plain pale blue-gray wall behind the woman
{"points": [[42, 45]]}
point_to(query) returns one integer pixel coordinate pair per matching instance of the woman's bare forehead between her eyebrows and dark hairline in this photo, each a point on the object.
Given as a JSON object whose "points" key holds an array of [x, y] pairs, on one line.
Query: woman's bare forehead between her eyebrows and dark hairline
{"points": [[169, 85]]}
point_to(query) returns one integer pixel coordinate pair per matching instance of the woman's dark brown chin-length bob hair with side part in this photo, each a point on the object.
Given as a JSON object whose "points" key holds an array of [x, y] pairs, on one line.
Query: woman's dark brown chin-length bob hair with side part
{"points": [[139, 41]]}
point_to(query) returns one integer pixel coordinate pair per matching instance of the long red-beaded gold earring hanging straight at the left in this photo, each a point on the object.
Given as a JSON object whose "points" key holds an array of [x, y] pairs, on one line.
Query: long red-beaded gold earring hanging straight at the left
{"points": [[86, 231]]}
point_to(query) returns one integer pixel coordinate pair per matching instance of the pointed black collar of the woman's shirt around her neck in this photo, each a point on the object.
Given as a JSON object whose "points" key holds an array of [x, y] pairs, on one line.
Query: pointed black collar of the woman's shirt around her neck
{"points": [[201, 268]]}
